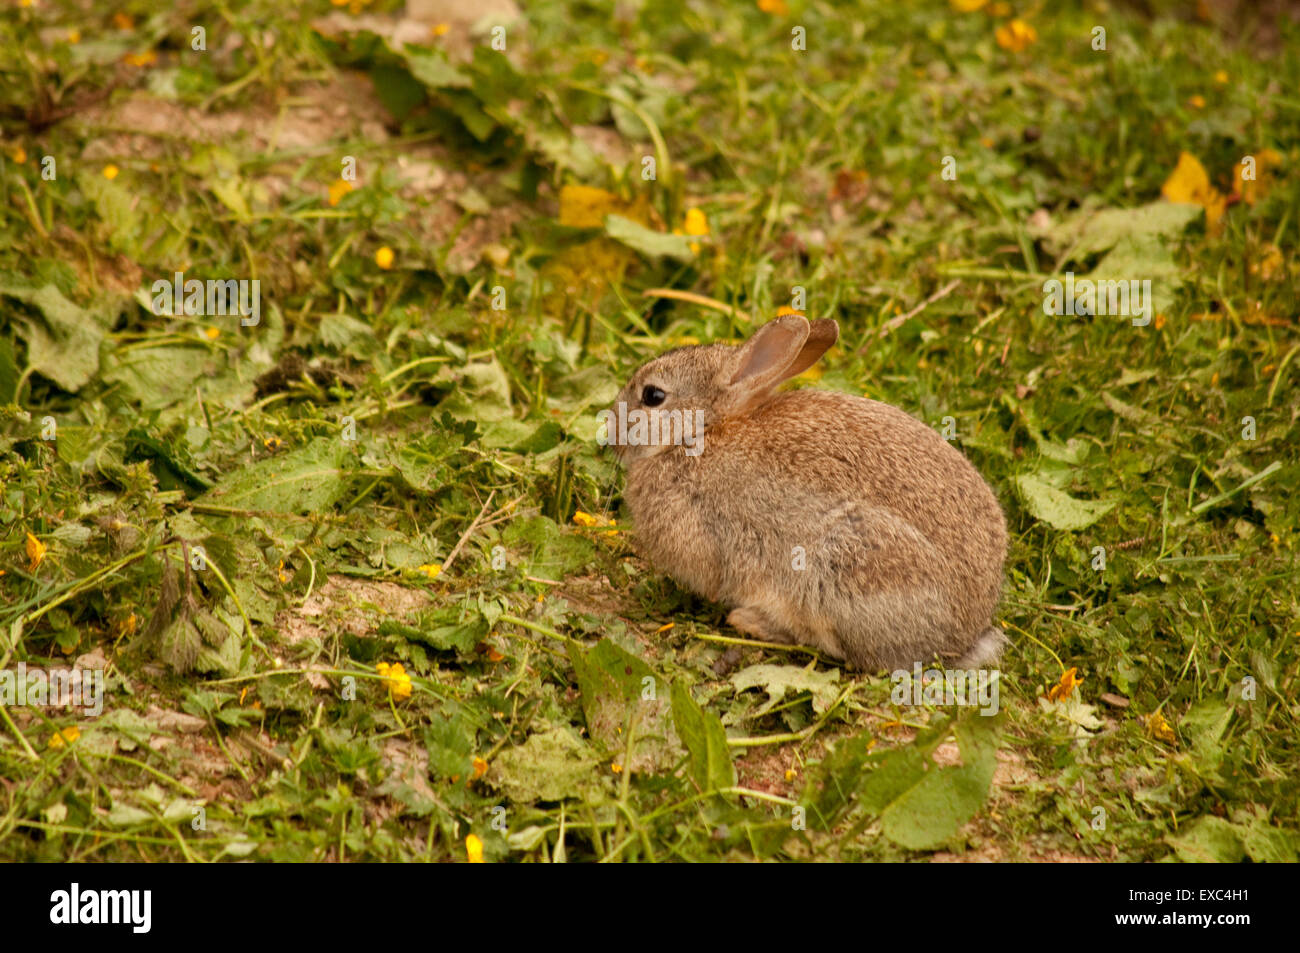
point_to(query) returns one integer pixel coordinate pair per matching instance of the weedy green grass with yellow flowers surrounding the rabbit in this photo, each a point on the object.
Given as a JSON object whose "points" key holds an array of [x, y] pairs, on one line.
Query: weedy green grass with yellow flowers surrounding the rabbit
{"points": [[379, 423]]}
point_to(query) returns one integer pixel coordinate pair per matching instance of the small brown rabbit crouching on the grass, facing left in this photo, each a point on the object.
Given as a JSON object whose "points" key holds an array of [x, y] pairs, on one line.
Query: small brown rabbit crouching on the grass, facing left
{"points": [[818, 518]]}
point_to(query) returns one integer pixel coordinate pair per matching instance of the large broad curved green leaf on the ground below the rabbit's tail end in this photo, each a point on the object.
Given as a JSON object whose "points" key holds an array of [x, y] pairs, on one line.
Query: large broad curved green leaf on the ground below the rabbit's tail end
{"points": [[924, 805]]}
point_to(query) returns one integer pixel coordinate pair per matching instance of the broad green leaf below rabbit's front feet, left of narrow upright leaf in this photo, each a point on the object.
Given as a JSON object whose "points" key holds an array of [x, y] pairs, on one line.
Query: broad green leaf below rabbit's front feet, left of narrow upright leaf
{"points": [[622, 695]]}
